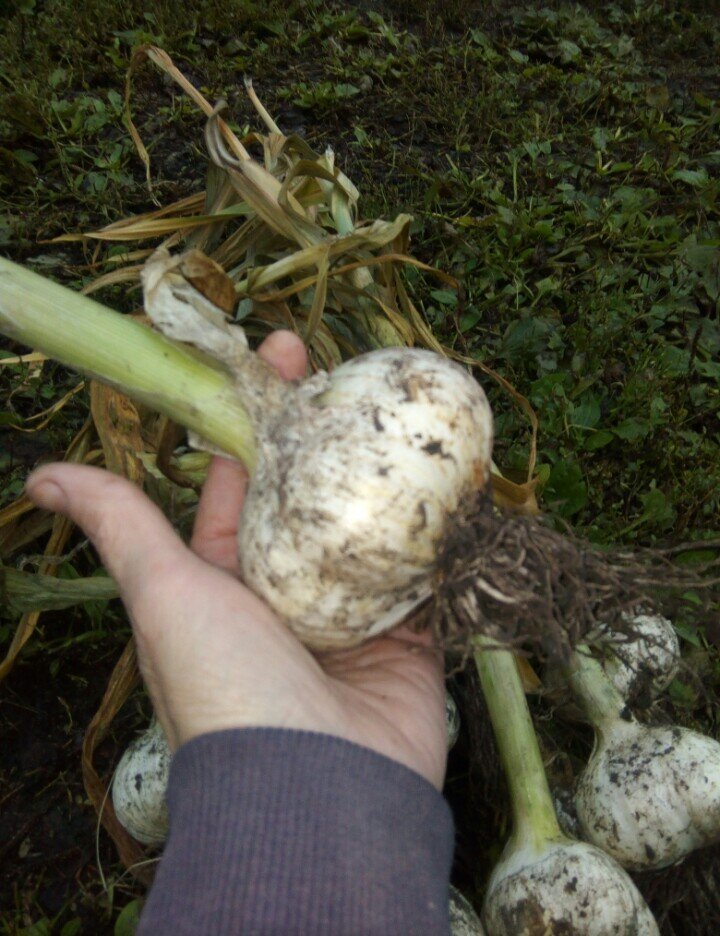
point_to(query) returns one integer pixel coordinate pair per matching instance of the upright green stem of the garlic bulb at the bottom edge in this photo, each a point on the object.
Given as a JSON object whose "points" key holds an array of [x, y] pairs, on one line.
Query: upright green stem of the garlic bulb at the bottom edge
{"points": [[534, 818]]}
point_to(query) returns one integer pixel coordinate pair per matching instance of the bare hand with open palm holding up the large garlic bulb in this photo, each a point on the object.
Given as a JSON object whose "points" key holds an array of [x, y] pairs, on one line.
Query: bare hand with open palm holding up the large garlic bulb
{"points": [[212, 654]]}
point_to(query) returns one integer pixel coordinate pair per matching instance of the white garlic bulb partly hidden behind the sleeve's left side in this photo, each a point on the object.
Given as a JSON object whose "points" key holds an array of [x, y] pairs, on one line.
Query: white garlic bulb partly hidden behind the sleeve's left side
{"points": [[140, 784]]}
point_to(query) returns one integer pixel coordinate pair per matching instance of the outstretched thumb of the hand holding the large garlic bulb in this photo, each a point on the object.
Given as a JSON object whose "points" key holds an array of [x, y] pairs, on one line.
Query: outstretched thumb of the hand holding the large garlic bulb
{"points": [[135, 541]]}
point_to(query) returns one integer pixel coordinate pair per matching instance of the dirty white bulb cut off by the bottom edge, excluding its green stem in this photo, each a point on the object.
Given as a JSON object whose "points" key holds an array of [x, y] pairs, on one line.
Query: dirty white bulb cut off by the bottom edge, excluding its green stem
{"points": [[568, 888]]}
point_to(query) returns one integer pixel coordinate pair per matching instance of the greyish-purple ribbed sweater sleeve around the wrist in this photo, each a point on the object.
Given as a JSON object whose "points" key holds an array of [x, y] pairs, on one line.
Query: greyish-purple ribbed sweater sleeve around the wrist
{"points": [[288, 832]]}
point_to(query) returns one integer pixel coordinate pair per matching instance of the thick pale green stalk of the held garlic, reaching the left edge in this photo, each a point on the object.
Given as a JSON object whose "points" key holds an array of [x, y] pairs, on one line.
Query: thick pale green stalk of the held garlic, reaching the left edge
{"points": [[86, 336]]}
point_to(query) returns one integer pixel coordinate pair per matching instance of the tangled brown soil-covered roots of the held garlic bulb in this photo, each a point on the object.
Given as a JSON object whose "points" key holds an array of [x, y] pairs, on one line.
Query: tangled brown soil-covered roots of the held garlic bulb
{"points": [[520, 581]]}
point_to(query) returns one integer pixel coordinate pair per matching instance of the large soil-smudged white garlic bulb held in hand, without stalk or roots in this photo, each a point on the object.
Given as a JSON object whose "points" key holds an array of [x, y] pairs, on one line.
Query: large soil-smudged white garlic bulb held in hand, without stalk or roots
{"points": [[359, 471]]}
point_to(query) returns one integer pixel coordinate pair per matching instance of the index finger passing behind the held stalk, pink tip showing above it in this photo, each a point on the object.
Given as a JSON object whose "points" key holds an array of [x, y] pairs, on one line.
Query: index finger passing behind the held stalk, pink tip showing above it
{"points": [[224, 489]]}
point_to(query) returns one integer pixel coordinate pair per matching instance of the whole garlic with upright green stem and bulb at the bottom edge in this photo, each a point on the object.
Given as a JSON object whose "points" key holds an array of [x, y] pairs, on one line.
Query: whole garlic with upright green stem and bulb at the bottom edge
{"points": [[544, 881]]}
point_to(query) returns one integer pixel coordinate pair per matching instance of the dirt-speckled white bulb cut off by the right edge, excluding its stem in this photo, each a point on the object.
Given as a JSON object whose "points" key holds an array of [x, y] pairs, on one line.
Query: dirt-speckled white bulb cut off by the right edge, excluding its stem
{"points": [[649, 796]]}
